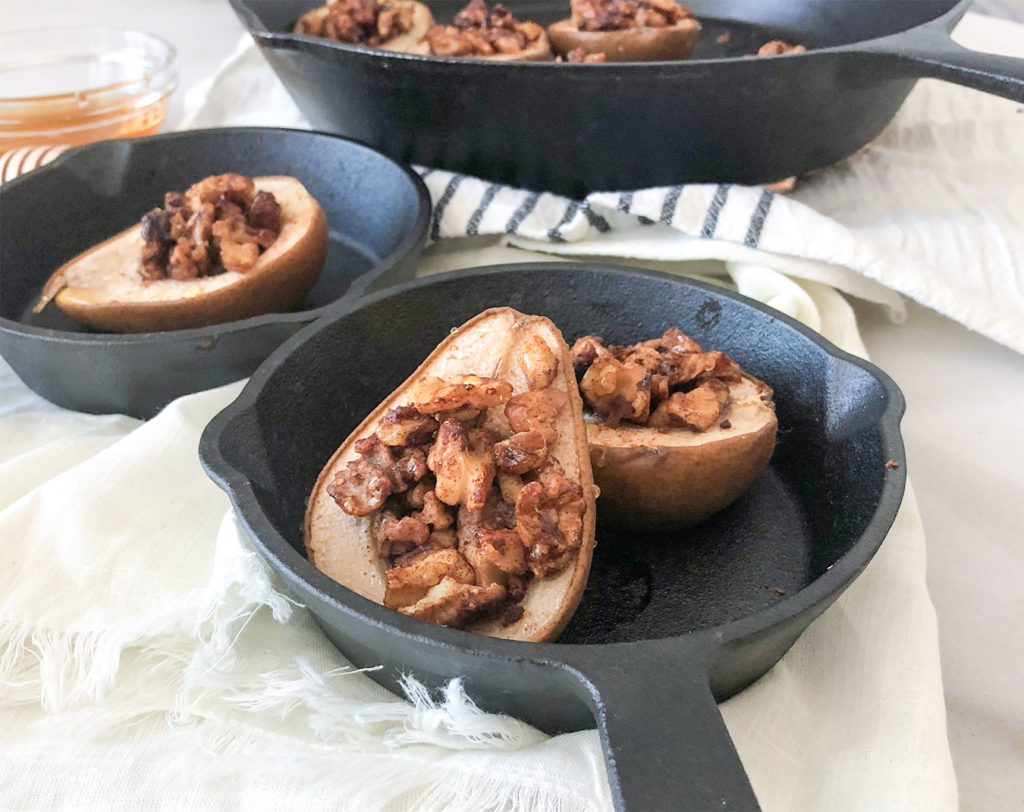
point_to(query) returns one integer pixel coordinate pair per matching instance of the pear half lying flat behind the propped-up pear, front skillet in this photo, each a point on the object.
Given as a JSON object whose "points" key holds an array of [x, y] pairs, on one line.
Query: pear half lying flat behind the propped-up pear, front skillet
{"points": [[676, 435]]}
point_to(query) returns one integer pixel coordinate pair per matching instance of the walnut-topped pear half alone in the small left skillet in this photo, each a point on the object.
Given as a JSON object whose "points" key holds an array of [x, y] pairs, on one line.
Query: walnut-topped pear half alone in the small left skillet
{"points": [[229, 248]]}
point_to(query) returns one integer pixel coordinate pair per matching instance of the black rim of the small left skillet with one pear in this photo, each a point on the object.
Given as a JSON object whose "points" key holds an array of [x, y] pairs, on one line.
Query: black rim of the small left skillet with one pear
{"points": [[416, 238]]}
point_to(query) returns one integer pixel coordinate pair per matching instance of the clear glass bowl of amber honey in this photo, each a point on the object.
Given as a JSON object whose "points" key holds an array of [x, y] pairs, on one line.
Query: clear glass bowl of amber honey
{"points": [[72, 87]]}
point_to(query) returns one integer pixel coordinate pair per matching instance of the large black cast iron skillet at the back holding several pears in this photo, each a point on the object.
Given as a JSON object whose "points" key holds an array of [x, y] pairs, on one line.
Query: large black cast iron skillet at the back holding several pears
{"points": [[579, 129]]}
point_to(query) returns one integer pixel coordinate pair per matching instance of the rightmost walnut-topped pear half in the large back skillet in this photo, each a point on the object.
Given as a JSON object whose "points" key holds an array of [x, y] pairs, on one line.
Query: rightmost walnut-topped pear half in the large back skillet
{"points": [[626, 31]]}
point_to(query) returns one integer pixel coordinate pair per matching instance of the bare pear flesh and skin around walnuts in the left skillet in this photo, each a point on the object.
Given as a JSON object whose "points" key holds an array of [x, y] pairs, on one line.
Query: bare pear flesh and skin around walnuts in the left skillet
{"points": [[108, 288]]}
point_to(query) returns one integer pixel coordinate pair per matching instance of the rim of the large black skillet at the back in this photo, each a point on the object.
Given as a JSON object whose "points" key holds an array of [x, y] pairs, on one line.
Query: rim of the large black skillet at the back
{"points": [[288, 40]]}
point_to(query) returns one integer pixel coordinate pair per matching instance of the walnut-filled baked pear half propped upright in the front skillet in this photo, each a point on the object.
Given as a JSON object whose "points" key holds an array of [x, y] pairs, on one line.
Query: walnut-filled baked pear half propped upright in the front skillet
{"points": [[466, 498]]}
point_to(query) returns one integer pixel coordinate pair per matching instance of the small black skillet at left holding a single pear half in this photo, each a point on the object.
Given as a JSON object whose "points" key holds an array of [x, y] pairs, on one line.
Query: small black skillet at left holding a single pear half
{"points": [[377, 210]]}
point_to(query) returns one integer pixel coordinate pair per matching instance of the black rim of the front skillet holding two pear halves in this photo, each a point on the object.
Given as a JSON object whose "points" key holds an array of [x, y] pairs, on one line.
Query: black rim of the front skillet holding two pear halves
{"points": [[291, 565]]}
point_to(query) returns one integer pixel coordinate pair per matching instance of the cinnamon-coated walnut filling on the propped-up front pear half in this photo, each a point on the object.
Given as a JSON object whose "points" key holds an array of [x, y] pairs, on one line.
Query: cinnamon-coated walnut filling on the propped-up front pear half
{"points": [[468, 516]]}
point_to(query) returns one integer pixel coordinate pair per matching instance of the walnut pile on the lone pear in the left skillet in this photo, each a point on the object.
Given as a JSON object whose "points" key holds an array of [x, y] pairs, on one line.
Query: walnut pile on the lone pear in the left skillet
{"points": [[220, 224]]}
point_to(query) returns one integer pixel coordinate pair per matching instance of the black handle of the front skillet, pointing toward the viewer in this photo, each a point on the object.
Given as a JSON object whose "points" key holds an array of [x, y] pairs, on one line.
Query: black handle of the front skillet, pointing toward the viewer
{"points": [[665, 743]]}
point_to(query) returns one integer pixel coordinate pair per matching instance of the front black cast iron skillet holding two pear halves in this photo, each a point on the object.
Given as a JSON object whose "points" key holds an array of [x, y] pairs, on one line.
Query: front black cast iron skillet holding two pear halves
{"points": [[668, 625]]}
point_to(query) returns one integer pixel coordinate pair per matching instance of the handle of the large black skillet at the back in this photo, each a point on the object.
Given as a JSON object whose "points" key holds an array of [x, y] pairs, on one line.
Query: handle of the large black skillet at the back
{"points": [[929, 52]]}
